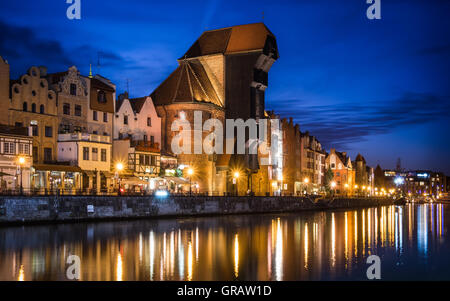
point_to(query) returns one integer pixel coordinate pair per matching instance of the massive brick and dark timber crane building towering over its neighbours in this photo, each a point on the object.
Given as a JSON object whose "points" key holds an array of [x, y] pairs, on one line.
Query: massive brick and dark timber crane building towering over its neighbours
{"points": [[224, 75]]}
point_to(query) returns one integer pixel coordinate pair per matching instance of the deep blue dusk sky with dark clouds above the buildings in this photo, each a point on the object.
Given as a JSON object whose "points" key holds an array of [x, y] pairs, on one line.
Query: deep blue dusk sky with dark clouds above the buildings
{"points": [[379, 87]]}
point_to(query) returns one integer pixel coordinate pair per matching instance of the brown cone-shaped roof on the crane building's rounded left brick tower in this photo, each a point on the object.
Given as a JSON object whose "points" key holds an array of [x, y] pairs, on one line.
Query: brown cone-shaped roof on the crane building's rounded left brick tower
{"points": [[188, 83]]}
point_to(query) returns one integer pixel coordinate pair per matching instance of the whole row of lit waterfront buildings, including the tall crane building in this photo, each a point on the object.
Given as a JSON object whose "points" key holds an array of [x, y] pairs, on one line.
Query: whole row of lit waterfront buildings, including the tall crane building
{"points": [[70, 132]]}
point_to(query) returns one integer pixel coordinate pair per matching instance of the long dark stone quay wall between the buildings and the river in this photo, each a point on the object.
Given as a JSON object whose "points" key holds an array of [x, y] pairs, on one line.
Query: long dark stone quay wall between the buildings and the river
{"points": [[42, 209]]}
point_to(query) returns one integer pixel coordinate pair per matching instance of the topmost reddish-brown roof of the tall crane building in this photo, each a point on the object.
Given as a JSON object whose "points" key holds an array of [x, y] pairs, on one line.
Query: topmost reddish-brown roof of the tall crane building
{"points": [[229, 40]]}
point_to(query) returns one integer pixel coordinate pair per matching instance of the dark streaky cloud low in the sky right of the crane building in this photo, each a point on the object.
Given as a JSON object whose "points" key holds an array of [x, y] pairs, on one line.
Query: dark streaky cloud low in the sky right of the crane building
{"points": [[340, 125]]}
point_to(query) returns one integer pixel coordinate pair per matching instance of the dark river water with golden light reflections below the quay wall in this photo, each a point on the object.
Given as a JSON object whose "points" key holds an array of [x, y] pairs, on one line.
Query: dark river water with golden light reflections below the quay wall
{"points": [[411, 240]]}
